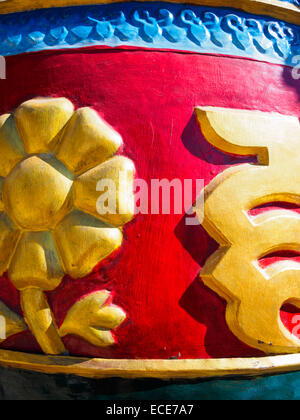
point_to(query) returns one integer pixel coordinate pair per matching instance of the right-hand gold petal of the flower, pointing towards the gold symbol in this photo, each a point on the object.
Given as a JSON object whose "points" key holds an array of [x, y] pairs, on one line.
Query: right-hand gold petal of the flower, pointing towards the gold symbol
{"points": [[120, 171]]}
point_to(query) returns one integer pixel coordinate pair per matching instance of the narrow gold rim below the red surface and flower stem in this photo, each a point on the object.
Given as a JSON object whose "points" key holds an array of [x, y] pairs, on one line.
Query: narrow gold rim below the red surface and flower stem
{"points": [[160, 369]]}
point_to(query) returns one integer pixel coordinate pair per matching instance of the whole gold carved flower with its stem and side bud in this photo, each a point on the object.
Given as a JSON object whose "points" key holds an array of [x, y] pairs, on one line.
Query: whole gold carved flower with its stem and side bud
{"points": [[47, 230]]}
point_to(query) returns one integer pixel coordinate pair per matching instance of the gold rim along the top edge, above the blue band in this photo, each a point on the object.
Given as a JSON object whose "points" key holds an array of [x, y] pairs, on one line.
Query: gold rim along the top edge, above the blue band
{"points": [[275, 8]]}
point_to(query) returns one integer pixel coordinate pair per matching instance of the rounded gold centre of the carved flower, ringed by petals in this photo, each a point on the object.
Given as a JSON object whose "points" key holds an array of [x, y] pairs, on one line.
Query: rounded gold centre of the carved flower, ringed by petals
{"points": [[35, 194]]}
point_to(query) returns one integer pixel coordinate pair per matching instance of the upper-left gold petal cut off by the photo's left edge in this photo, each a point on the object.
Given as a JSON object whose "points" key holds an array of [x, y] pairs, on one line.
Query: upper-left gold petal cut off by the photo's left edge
{"points": [[11, 147]]}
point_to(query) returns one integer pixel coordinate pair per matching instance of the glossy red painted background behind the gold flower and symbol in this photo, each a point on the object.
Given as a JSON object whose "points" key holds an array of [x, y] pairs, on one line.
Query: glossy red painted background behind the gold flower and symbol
{"points": [[149, 98]]}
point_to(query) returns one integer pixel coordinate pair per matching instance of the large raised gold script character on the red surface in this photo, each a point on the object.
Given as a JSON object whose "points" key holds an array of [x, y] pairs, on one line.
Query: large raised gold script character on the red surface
{"points": [[254, 295]]}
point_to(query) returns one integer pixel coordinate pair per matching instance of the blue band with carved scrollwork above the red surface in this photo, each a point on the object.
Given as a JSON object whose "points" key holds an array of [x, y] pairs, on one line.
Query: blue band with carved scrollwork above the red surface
{"points": [[153, 25]]}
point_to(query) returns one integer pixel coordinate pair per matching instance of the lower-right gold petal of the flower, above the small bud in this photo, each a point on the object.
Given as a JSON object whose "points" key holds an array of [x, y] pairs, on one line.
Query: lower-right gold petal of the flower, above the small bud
{"points": [[83, 241]]}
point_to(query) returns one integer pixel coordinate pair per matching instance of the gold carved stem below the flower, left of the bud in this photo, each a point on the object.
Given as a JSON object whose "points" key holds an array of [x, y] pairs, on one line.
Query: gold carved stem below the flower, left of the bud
{"points": [[40, 320]]}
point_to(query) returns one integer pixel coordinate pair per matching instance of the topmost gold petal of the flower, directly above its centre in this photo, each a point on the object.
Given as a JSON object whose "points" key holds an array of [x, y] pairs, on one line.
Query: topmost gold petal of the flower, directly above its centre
{"points": [[40, 120]]}
